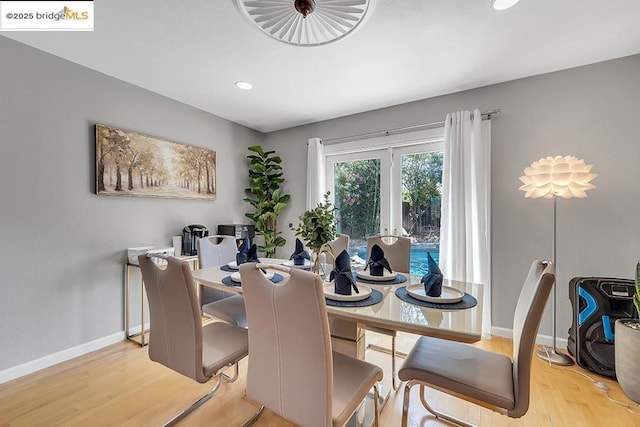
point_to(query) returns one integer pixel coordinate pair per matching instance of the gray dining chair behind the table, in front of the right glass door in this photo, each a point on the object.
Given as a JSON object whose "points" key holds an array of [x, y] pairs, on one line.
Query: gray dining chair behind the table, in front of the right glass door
{"points": [[397, 250]]}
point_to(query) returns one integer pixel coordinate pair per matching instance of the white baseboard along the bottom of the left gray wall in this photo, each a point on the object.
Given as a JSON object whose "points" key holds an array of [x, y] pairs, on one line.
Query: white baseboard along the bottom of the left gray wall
{"points": [[61, 356]]}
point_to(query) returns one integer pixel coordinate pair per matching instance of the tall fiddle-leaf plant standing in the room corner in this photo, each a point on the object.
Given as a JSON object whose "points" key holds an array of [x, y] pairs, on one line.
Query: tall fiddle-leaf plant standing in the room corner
{"points": [[265, 178]]}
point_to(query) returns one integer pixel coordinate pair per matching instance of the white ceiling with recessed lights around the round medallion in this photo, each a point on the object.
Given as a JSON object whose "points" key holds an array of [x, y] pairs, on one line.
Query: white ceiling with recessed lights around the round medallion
{"points": [[193, 51]]}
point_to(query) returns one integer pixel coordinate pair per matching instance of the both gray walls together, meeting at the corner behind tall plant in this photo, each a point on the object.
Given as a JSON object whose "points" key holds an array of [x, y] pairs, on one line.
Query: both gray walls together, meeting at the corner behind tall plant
{"points": [[63, 247]]}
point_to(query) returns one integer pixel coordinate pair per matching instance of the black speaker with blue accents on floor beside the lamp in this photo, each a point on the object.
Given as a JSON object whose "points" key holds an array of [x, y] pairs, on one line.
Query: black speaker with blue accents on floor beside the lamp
{"points": [[597, 303]]}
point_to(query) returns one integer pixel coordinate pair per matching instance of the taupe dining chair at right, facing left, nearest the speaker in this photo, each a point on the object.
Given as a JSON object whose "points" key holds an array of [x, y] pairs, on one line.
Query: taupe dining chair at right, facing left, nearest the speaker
{"points": [[488, 379]]}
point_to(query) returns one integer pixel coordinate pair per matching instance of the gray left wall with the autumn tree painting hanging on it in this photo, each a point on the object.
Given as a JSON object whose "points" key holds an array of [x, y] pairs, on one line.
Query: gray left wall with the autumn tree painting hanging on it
{"points": [[63, 247]]}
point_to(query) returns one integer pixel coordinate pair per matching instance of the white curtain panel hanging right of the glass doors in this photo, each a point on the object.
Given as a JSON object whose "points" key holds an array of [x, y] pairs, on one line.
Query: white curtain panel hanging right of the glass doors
{"points": [[465, 234]]}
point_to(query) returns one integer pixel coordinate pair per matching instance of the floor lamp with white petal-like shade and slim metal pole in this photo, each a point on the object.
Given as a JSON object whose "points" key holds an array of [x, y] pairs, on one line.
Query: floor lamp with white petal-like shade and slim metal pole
{"points": [[553, 177]]}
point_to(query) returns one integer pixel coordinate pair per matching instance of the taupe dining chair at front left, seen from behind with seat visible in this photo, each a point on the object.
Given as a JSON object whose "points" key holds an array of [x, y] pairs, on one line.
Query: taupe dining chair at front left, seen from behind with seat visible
{"points": [[177, 338]]}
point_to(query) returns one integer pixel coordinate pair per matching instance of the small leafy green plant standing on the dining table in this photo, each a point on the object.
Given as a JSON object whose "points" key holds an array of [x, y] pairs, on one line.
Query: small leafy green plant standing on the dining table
{"points": [[317, 227]]}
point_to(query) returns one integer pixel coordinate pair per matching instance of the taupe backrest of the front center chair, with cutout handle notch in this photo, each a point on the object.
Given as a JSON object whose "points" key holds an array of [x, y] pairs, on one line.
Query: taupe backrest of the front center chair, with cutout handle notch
{"points": [[291, 367]]}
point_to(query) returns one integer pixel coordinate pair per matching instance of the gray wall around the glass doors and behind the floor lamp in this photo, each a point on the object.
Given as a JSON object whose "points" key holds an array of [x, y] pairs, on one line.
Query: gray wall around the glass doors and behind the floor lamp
{"points": [[590, 112]]}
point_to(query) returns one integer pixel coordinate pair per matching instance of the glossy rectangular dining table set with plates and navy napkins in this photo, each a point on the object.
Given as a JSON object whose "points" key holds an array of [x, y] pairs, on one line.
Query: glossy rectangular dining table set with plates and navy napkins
{"points": [[390, 315]]}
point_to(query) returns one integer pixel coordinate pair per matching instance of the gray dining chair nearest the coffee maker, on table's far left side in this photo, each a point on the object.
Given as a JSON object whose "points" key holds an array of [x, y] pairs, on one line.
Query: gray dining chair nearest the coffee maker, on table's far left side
{"points": [[219, 304]]}
